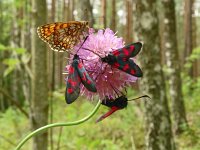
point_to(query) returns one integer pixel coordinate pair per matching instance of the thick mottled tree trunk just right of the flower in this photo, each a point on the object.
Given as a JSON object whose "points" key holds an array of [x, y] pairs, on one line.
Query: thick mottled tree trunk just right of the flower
{"points": [[157, 116]]}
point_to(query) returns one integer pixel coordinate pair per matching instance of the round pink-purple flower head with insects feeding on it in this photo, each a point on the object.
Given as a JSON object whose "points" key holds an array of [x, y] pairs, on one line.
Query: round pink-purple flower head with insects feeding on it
{"points": [[106, 77]]}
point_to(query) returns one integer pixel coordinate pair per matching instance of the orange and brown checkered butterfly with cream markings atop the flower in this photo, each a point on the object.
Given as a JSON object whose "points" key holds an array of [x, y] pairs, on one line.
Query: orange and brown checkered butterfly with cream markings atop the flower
{"points": [[63, 36]]}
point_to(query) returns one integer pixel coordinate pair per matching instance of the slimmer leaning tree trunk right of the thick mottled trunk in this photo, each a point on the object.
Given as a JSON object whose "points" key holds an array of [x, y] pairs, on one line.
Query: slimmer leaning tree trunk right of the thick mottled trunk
{"points": [[172, 59]]}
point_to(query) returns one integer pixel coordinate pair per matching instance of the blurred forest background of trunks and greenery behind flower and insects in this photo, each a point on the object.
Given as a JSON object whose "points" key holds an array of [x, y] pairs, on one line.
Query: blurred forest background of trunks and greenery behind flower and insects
{"points": [[32, 85]]}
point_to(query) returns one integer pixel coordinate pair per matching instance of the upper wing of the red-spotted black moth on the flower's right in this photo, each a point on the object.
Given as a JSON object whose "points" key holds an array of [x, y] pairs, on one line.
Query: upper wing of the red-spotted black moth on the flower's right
{"points": [[127, 51]]}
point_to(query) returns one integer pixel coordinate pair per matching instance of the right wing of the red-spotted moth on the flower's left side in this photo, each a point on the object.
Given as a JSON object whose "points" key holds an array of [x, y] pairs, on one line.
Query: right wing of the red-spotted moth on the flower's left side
{"points": [[85, 78]]}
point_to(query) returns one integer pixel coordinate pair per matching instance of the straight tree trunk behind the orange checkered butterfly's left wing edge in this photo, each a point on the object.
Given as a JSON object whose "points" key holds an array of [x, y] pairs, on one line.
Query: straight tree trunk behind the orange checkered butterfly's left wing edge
{"points": [[39, 103]]}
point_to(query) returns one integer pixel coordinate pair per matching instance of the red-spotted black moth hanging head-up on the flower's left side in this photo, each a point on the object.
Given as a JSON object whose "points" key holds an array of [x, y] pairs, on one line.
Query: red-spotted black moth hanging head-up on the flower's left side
{"points": [[77, 75]]}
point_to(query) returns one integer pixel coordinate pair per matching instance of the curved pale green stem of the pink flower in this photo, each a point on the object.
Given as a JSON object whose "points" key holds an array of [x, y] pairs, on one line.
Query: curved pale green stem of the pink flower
{"points": [[57, 125]]}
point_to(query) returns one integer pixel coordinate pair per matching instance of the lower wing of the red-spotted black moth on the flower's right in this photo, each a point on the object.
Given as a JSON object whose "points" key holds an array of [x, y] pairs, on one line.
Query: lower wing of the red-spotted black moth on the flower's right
{"points": [[129, 67]]}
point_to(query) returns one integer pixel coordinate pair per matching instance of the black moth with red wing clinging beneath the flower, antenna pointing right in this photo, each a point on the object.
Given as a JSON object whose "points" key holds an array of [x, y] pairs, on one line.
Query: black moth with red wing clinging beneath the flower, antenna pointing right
{"points": [[116, 104]]}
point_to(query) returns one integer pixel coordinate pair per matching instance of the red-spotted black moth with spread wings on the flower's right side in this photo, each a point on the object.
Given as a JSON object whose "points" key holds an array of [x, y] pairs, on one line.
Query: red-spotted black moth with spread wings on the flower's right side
{"points": [[120, 59]]}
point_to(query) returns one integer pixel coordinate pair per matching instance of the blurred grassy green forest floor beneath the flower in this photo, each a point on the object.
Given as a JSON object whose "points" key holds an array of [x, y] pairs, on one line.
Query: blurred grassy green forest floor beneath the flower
{"points": [[123, 130]]}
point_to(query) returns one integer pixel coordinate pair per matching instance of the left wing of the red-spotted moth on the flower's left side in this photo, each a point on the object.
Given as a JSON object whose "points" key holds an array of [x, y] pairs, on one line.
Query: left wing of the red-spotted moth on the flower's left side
{"points": [[73, 85]]}
